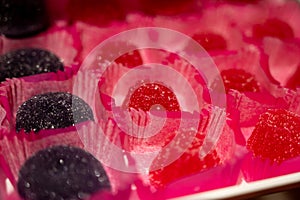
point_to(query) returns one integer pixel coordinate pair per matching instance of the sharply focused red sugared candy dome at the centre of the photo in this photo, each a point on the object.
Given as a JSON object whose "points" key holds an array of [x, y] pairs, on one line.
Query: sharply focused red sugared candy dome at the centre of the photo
{"points": [[151, 94]]}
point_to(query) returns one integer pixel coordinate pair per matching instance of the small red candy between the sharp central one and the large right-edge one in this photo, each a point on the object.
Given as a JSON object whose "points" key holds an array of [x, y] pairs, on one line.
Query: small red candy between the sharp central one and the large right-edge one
{"points": [[240, 80]]}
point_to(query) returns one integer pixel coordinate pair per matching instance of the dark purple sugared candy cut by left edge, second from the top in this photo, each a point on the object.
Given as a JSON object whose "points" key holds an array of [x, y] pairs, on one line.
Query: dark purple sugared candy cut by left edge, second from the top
{"points": [[29, 61]]}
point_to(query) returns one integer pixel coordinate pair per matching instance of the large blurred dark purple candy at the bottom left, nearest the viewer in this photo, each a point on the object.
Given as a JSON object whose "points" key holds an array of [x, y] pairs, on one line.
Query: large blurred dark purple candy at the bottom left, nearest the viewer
{"points": [[61, 172]]}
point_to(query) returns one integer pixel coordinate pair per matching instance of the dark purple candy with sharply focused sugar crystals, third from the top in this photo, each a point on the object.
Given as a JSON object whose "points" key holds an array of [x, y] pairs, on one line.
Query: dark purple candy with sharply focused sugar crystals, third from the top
{"points": [[51, 111]]}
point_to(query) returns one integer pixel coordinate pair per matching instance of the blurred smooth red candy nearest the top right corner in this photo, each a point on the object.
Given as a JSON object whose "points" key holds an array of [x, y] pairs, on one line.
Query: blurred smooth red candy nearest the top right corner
{"points": [[273, 28]]}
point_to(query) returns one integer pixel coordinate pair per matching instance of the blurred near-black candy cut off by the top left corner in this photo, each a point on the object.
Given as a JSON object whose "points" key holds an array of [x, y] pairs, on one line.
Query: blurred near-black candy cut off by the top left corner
{"points": [[22, 18]]}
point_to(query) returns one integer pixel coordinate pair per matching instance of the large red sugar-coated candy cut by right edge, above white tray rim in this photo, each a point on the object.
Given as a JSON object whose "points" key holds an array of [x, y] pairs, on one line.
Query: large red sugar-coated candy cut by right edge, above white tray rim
{"points": [[276, 136]]}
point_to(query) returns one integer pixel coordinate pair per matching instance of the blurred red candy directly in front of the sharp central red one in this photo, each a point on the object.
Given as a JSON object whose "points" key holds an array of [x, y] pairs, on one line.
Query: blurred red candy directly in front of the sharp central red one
{"points": [[165, 168]]}
